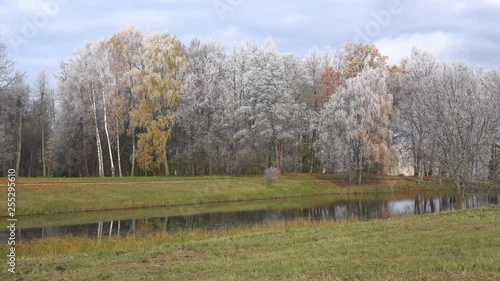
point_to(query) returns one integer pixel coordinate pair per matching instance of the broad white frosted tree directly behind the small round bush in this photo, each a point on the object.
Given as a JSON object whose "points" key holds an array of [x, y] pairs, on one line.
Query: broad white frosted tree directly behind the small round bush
{"points": [[274, 115]]}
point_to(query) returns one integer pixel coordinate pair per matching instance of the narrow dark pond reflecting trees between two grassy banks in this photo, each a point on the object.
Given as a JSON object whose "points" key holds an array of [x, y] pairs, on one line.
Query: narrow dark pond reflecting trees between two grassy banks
{"points": [[230, 215]]}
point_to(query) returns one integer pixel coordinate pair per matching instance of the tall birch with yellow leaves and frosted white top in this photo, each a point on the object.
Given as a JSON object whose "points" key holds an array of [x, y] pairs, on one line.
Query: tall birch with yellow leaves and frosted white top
{"points": [[157, 88]]}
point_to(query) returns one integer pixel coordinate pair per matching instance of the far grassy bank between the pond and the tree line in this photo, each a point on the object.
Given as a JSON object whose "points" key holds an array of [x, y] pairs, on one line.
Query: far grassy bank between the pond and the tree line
{"points": [[46, 195]]}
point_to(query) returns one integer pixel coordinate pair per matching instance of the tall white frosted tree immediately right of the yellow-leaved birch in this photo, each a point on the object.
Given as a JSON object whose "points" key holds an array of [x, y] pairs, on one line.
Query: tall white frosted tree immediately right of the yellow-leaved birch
{"points": [[207, 106]]}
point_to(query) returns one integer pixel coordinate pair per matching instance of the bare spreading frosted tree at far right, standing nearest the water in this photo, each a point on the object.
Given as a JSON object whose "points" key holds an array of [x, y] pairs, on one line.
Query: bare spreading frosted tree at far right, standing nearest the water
{"points": [[463, 115]]}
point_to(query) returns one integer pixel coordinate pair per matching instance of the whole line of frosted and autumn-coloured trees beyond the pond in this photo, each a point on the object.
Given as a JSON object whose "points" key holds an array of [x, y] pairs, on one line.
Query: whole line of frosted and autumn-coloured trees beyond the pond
{"points": [[145, 104]]}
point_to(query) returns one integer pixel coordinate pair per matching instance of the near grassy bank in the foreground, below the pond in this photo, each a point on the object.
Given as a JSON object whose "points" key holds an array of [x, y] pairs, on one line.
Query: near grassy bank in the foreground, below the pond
{"points": [[460, 245]]}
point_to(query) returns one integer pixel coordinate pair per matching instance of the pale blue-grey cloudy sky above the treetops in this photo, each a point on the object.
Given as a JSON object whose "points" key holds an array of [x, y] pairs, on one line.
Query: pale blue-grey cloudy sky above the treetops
{"points": [[39, 33]]}
